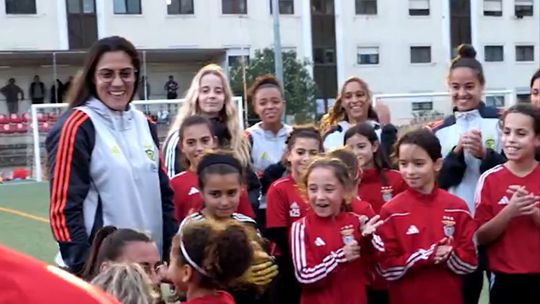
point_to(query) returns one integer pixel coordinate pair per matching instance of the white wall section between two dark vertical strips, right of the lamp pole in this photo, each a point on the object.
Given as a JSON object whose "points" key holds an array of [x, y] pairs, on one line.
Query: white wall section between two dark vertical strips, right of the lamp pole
{"points": [[394, 32]]}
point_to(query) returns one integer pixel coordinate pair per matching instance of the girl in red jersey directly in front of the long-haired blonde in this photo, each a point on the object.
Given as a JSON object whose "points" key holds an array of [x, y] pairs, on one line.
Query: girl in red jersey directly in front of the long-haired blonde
{"points": [[196, 137]]}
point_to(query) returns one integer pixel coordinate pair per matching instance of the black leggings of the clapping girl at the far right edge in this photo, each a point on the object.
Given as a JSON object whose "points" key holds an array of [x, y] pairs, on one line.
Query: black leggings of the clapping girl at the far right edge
{"points": [[515, 288]]}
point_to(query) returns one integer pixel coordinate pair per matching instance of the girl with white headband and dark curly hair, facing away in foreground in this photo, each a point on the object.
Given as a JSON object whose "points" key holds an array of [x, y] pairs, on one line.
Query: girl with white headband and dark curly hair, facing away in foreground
{"points": [[206, 258]]}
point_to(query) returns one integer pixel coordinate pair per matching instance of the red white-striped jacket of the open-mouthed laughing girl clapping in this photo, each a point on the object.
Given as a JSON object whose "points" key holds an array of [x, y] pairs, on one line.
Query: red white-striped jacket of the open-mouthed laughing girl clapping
{"points": [[319, 261]]}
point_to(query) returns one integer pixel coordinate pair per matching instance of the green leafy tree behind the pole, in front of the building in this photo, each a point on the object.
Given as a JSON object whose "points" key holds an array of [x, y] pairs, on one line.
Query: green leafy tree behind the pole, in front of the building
{"points": [[299, 88]]}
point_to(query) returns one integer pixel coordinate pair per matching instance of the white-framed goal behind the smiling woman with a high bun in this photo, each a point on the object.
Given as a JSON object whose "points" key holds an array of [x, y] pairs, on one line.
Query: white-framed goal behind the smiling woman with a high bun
{"points": [[409, 110]]}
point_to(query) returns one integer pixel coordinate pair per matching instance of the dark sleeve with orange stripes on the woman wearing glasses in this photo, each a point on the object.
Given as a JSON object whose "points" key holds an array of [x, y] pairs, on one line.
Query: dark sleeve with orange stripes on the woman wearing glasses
{"points": [[69, 148]]}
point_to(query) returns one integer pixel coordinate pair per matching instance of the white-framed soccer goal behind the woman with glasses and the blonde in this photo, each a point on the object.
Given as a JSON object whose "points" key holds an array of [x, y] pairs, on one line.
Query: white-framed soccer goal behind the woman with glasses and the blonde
{"points": [[22, 136]]}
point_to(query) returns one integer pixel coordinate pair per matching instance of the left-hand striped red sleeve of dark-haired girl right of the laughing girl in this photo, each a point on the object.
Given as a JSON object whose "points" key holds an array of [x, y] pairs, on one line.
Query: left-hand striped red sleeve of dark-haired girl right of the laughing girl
{"points": [[394, 259]]}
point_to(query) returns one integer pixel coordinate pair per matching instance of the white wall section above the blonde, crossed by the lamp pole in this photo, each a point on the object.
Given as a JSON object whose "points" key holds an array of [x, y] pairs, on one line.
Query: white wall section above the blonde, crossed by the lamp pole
{"points": [[207, 28]]}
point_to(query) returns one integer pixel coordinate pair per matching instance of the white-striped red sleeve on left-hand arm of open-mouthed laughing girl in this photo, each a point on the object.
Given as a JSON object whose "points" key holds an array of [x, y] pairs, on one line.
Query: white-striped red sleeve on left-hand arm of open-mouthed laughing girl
{"points": [[309, 268]]}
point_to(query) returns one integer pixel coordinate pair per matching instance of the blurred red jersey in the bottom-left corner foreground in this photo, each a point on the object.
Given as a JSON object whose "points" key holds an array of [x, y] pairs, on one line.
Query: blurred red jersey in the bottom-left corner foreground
{"points": [[26, 280]]}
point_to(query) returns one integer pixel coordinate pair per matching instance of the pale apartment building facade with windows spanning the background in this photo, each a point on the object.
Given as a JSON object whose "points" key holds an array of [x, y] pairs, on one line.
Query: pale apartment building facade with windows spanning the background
{"points": [[396, 46]]}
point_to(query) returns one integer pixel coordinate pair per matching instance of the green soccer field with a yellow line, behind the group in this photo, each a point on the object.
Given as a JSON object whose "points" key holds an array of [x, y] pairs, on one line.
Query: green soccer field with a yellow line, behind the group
{"points": [[24, 223]]}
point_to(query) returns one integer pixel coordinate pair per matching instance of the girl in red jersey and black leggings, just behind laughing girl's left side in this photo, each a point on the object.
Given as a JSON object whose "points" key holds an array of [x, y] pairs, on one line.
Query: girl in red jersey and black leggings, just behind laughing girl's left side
{"points": [[285, 204]]}
